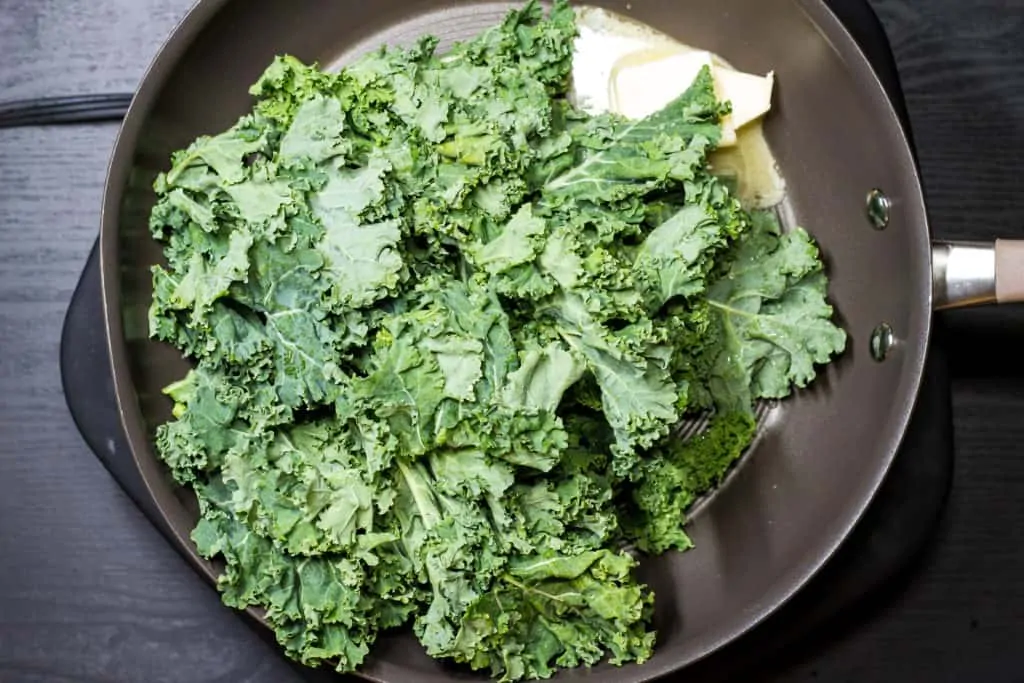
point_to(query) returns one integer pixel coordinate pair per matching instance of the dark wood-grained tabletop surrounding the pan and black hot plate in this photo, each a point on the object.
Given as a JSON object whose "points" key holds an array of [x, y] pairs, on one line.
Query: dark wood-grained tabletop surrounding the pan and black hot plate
{"points": [[90, 591]]}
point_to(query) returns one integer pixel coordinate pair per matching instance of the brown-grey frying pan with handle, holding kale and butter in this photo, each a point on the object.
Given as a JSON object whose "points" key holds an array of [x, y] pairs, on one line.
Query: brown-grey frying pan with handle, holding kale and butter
{"points": [[820, 458]]}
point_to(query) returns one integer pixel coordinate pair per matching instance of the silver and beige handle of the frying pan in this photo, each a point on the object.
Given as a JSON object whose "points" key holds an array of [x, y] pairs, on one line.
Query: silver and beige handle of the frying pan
{"points": [[972, 274]]}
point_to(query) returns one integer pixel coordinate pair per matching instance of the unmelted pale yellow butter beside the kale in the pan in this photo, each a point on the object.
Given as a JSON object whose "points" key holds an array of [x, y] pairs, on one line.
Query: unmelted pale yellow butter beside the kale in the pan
{"points": [[644, 82]]}
